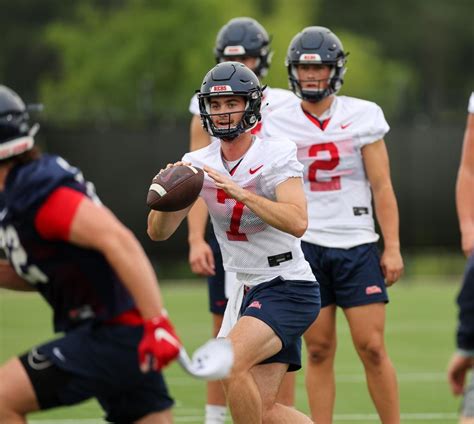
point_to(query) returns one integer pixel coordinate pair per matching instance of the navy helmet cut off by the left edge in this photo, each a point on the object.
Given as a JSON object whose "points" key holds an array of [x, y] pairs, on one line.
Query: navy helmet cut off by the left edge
{"points": [[16, 135]]}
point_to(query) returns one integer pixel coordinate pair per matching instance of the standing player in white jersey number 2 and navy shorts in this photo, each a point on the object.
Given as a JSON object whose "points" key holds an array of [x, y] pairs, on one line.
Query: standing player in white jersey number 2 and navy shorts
{"points": [[340, 142]]}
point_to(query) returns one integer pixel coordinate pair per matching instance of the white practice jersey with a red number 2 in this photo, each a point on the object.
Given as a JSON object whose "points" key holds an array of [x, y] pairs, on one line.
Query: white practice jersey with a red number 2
{"points": [[338, 191]]}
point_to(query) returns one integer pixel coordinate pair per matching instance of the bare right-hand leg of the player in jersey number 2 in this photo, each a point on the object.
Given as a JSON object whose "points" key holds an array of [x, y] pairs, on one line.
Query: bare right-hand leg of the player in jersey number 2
{"points": [[367, 329]]}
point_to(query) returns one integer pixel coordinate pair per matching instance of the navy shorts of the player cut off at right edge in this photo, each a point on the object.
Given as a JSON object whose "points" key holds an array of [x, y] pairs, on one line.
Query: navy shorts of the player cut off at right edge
{"points": [[465, 332]]}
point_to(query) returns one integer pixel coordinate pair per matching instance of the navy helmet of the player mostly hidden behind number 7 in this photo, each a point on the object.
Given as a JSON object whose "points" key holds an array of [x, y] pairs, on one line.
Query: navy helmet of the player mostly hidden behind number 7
{"points": [[244, 37]]}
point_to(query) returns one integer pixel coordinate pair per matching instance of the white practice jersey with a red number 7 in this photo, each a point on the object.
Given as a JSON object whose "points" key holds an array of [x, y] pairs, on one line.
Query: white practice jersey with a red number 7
{"points": [[248, 244]]}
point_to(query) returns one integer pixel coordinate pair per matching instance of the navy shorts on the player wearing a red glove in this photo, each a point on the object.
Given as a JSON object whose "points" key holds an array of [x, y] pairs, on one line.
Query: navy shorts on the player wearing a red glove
{"points": [[97, 361]]}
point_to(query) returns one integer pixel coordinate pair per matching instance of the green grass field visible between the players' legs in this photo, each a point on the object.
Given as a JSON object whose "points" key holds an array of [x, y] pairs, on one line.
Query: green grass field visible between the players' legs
{"points": [[420, 338]]}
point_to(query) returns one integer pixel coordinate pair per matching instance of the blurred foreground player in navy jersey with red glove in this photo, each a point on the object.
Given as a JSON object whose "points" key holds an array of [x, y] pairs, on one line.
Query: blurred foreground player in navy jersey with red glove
{"points": [[60, 241]]}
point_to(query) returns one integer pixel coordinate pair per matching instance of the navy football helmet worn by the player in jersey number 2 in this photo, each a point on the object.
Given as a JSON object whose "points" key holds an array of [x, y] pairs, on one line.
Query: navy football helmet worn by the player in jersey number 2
{"points": [[316, 45]]}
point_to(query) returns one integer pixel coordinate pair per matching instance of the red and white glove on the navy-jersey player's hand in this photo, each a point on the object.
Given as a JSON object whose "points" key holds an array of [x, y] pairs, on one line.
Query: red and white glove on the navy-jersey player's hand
{"points": [[159, 345]]}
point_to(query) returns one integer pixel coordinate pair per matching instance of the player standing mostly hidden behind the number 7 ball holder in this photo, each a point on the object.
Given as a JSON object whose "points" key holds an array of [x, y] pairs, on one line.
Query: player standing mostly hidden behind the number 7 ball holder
{"points": [[243, 40]]}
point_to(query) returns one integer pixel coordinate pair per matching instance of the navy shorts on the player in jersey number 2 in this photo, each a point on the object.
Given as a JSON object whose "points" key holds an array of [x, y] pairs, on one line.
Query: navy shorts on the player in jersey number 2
{"points": [[347, 277]]}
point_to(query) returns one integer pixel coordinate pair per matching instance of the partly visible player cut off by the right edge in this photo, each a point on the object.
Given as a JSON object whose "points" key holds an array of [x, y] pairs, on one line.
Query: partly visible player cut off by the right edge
{"points": [[463, 360]]}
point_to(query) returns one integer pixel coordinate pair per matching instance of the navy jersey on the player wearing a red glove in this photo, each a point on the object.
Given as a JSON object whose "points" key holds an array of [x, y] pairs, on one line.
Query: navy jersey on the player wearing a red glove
{"points": [[78, 283]]}
